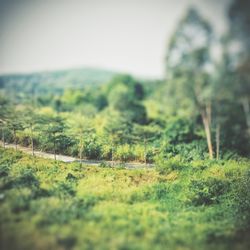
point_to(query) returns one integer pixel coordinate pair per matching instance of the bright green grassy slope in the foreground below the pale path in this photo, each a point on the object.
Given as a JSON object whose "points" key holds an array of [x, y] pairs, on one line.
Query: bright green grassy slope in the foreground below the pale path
{"points": [[48, 205]]}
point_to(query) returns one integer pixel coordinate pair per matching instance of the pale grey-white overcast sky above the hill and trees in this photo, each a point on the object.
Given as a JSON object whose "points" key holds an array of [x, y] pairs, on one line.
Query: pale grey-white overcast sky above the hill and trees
{"points": [[121, 35]]}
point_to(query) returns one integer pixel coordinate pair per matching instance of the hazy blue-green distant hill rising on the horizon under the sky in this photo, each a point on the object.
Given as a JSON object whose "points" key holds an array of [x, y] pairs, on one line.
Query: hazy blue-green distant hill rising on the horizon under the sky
{"points": [[55, 81]]}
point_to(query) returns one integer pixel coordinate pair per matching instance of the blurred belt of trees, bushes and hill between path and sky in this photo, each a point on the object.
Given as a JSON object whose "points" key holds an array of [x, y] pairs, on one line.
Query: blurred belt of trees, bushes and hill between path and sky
{"points": [[201, 109]]}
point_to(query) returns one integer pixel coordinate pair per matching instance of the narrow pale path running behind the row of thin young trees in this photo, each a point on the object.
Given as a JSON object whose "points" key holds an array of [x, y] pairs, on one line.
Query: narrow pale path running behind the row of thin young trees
{"points": [[65, 158]]}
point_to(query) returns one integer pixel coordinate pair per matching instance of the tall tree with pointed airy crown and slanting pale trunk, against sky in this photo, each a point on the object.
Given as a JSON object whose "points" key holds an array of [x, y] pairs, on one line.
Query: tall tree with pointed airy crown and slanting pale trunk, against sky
{"points": [[188, 62]]}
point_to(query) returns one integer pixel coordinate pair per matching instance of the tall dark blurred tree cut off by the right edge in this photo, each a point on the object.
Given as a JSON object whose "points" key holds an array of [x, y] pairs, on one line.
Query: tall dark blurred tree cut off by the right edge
{"points": [[232, 83]]}
